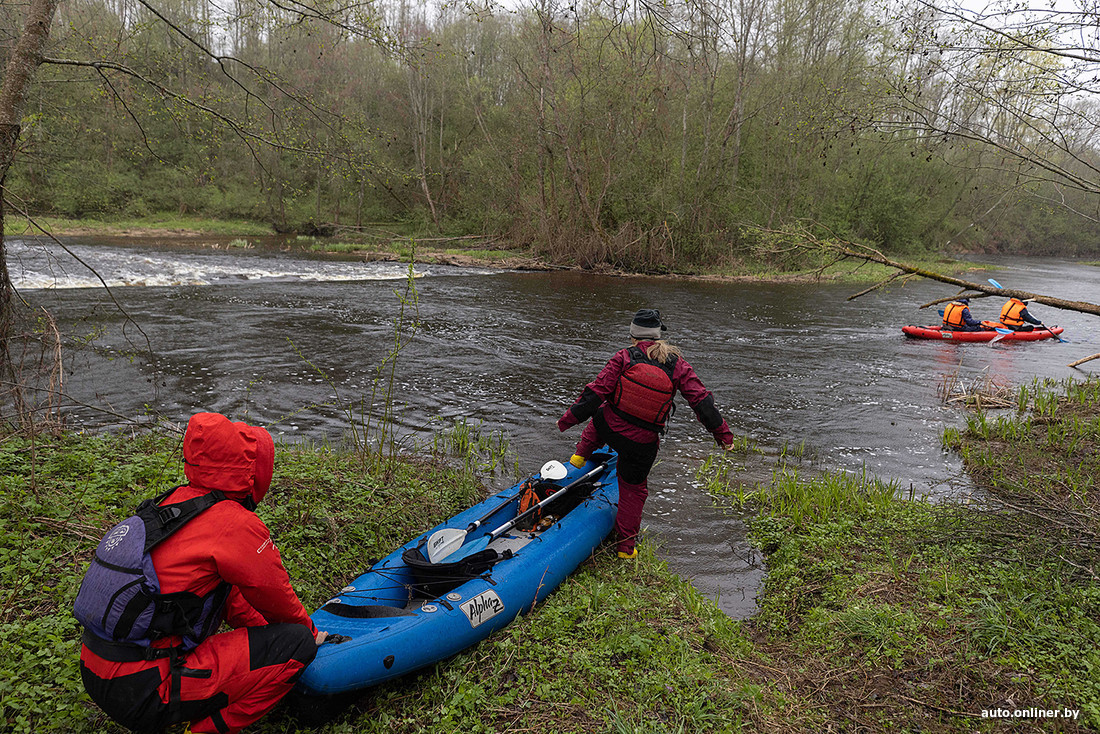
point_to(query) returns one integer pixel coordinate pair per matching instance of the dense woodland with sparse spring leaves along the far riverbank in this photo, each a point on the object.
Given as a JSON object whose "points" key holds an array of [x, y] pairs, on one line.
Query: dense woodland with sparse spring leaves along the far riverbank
{"points": [[593, 133]]}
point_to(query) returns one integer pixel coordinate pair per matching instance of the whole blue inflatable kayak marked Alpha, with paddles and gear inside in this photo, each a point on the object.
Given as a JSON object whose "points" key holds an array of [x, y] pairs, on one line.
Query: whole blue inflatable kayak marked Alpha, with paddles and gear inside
{"points": [[457, 584]]}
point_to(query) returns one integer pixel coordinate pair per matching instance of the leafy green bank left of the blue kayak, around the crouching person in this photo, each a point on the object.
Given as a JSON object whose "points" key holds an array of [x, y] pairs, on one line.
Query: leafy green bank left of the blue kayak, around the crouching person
{"points": [[329, 512]]}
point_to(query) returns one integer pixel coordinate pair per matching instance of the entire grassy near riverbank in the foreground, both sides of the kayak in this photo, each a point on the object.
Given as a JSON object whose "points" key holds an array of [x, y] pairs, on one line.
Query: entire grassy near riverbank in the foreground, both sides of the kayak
{"points": [[879, 615]]}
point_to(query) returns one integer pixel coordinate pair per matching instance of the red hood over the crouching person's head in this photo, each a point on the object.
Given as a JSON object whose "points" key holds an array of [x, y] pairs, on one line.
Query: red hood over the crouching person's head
{"points": [[234, 458]]}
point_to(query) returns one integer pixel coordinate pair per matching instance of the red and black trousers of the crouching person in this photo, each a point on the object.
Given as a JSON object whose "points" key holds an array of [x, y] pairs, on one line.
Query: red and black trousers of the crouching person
{"points": [[226, 684]]}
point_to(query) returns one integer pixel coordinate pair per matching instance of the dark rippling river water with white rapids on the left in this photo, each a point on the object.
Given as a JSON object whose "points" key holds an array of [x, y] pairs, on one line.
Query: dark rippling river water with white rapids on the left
{"points": [[276, 336]]}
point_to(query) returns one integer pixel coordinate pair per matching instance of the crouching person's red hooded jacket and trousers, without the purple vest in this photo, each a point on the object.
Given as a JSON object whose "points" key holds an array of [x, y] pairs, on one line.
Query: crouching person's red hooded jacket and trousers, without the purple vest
{"points": [[221, 683]]}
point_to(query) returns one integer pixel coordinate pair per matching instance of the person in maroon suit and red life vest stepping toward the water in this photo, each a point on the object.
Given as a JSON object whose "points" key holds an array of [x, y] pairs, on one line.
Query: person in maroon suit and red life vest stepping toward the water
{"points": [[629, 403]]}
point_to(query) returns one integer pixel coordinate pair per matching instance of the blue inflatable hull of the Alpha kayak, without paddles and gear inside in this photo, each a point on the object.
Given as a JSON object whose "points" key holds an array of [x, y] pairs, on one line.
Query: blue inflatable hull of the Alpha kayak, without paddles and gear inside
{"points": [[393, 630]]}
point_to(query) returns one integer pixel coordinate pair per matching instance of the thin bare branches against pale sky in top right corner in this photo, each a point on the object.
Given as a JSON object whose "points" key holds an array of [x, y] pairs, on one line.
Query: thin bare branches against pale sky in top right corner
{"points": [[1017, 81]]}
